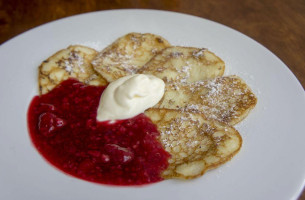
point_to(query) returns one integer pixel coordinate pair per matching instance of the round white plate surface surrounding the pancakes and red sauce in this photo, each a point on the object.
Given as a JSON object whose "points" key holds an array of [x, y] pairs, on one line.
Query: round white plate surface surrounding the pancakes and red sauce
{"points": [[271, 164]]}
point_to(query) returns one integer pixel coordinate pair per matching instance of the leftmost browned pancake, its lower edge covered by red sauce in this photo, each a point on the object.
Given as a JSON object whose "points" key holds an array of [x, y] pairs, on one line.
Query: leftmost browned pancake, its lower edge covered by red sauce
{"points": [[73, 62]]}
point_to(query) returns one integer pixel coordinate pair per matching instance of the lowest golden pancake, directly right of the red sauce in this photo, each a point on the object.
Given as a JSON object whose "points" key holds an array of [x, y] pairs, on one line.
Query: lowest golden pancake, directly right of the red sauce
{"points": [[195, 143]]}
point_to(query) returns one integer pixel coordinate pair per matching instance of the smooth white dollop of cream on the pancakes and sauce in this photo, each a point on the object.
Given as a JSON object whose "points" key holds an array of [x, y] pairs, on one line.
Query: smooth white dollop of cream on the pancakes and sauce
{"points": [[129, 96]]}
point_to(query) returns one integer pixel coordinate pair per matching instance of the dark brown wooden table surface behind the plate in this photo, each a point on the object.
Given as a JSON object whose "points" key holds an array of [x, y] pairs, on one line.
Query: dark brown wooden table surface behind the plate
{"points": [[279, 24]]}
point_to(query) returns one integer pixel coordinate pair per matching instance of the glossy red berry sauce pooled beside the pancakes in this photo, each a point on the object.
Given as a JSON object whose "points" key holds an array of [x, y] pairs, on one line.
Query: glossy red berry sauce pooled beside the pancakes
{"points": [[63, 127]]}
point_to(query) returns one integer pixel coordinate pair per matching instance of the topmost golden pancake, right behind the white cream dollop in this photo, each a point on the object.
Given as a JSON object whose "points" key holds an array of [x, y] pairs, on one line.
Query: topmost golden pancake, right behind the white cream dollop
{"points": [[127, 54]]}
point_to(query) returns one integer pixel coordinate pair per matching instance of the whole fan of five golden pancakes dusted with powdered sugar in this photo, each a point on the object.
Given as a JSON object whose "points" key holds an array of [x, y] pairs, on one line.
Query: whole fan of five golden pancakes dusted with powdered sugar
{"points": [[200, 106]]}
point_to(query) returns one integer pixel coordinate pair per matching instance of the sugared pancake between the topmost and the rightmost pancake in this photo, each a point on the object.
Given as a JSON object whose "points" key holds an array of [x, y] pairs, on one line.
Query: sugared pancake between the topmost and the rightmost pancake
{"points": [[184, 65]]}
